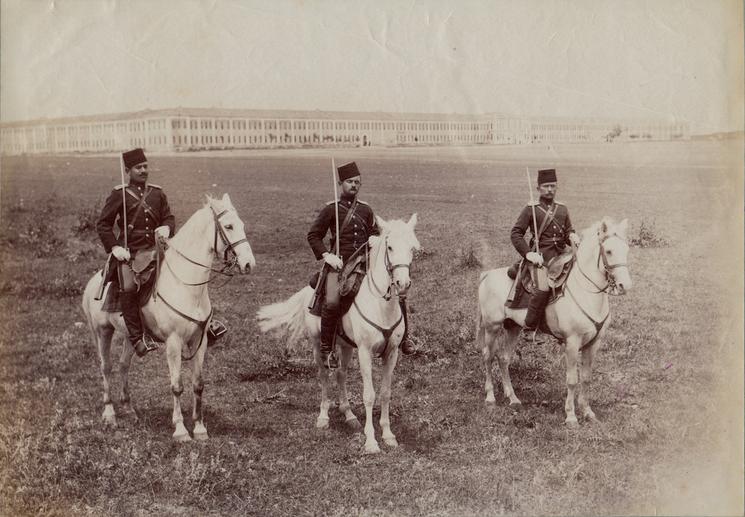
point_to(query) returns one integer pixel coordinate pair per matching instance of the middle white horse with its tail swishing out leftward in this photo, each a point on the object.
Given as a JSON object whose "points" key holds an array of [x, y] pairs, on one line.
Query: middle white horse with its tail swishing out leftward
{"points": [[374, 323]]}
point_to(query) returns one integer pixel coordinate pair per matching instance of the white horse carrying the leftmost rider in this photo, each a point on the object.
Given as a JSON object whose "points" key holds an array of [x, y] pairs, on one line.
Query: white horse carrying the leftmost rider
{"points": [[181, 310]]}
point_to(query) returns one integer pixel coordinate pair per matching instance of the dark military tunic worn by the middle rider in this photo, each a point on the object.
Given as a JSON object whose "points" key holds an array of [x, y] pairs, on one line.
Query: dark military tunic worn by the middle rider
{"points": [[360, 227]]}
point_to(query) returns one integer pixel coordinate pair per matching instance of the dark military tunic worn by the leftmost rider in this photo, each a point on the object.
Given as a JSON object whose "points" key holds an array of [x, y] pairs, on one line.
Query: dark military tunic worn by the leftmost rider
{"points": [[147, 208]]}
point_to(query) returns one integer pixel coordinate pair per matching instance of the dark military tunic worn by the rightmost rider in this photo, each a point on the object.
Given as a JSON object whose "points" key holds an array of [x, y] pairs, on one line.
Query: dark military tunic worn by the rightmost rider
{"points": [[555, 236]]}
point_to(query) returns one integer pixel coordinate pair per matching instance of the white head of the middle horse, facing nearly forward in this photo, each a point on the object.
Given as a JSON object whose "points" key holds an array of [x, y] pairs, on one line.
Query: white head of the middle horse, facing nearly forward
{"points": [[400, 242]]}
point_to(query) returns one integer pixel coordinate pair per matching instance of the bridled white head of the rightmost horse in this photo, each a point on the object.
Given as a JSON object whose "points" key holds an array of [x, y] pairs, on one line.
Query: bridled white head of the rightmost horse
{"points": [[613, 250]]}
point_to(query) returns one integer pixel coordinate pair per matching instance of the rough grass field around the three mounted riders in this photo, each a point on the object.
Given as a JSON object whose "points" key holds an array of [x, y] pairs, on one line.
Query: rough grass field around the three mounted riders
{"points": [[668, 387]]}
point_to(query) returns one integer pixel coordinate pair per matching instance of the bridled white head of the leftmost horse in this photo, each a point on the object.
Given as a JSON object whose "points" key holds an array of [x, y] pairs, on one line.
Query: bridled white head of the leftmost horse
{"points": [[230, 236]]}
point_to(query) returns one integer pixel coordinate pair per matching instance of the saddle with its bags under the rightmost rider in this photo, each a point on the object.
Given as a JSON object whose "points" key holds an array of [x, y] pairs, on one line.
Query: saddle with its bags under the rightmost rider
{"points": [[523, 287]]}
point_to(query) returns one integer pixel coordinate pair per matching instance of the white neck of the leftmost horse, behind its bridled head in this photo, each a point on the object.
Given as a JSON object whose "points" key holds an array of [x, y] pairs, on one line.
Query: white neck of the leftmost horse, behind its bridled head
{"points": [[194, 240]]}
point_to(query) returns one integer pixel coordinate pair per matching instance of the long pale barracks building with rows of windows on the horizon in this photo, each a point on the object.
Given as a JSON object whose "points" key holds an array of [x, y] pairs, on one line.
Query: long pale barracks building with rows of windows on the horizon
{"points": [[192, 129]]}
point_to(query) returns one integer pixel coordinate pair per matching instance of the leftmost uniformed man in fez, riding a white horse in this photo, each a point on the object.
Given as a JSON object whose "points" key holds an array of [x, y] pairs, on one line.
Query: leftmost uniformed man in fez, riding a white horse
{"points": [[143, 208]]}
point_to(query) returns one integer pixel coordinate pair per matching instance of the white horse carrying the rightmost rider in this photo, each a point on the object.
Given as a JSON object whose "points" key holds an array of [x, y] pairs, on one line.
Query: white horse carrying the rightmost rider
{"points": [[578, 318]]}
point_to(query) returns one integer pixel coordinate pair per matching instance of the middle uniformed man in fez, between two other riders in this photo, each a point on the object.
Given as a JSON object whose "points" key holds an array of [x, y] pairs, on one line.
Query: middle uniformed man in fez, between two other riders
{"points": [[356, 224]]}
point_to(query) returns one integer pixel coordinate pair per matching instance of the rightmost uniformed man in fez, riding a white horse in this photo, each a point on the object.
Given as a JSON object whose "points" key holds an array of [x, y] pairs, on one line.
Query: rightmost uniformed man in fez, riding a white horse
{"points": [[550, 219]]}
